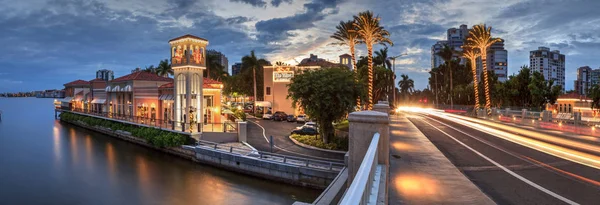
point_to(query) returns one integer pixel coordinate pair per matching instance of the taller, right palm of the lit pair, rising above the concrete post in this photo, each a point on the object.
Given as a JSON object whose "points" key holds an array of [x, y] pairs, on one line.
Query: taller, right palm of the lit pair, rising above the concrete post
{"points": [[370, 32]]}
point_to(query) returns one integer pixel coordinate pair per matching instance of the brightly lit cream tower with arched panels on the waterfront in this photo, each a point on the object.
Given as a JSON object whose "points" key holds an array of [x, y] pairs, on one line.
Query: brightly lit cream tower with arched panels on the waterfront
{"points": [[188, 54]]}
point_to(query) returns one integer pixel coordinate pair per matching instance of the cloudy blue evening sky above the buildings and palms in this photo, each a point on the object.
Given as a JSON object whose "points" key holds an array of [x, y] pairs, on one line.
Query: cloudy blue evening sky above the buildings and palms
{"points": [[47, 43]]}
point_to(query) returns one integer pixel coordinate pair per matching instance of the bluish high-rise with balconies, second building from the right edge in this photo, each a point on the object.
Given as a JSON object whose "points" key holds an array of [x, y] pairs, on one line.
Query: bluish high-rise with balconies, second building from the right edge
{"points": [[550, 63]]}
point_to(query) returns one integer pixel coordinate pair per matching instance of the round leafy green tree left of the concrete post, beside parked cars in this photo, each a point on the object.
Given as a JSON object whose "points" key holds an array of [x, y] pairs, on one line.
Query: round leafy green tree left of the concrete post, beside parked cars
{"points": [[325, 101]]}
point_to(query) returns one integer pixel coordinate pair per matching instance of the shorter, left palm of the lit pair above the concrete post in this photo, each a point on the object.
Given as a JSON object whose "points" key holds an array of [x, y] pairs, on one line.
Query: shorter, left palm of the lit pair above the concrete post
{"points": [[346, 35]]}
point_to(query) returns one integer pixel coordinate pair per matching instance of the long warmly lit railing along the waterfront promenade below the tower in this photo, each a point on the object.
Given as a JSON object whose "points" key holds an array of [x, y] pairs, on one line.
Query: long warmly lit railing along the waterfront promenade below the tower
{"points": [[162, 124]]}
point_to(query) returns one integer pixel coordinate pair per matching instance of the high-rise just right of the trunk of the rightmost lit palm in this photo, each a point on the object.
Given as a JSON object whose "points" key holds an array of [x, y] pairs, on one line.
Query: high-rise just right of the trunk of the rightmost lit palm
{"points": [[497, 61]]}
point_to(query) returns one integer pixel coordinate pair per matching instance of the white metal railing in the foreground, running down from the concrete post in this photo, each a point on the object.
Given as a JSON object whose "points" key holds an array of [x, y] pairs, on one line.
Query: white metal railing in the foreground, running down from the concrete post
{"points": [[360, 190]]}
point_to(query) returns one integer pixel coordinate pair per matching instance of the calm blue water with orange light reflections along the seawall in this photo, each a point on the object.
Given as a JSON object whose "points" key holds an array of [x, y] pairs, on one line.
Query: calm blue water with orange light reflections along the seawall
{"points": [[44, 161]]}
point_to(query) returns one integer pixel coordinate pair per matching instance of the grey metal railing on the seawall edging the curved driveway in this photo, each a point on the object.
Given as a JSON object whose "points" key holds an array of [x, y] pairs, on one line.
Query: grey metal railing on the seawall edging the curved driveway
{"points": [[292, 160]]}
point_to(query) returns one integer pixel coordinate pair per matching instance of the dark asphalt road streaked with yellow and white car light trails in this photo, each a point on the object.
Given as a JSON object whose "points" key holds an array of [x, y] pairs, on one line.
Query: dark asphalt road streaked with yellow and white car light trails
{"points": [[505, 168]]}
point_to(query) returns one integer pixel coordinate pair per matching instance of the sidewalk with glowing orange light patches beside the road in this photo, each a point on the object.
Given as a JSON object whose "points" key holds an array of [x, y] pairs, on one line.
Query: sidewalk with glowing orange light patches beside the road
{"points": [[421, 174]]}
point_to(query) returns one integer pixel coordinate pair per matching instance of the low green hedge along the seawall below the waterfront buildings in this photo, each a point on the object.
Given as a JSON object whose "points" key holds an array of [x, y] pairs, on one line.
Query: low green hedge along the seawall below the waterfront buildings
{"points": [[153, 136]]}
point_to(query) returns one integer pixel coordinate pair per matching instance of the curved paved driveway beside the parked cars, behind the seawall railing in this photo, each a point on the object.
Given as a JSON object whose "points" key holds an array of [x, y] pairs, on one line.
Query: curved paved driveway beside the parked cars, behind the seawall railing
{"points": [[259, 132]]}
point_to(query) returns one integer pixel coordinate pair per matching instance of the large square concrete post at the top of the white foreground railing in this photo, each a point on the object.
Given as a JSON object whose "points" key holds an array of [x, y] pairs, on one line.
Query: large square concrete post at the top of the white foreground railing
{"points": [[363, 125]]}
